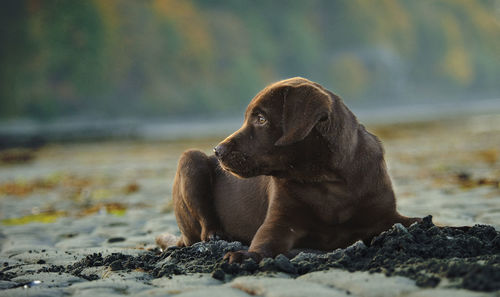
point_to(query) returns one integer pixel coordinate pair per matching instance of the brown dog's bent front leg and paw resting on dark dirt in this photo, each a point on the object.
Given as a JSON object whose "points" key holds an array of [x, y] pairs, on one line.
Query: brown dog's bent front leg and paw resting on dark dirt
{"points": [[275, 236]]}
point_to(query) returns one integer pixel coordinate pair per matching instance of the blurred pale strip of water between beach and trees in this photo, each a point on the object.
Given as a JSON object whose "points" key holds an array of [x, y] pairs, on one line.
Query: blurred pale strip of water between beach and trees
{"points": [[31, 133]]}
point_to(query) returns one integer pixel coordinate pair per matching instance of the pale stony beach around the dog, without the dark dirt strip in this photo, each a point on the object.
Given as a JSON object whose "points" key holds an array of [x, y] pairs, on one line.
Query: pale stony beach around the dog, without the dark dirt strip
{"points": [[65, 202]]}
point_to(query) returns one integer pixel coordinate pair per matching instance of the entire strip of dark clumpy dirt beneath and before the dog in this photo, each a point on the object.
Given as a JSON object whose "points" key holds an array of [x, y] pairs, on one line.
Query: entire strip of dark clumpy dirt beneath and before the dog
{"points": [[469, 257]]}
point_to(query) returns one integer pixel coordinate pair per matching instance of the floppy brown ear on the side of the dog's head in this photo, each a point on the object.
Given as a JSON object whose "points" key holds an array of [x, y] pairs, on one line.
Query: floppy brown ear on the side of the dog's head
{"points": [[304, 106]]}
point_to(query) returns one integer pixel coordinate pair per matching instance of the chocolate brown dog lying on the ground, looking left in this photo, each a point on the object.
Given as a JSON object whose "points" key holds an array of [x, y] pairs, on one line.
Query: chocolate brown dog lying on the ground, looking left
{"points": [[300, 173]]}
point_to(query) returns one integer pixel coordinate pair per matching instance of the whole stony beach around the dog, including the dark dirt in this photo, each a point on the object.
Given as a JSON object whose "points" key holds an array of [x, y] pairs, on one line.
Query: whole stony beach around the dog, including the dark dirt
{"points": [[80, 219]]}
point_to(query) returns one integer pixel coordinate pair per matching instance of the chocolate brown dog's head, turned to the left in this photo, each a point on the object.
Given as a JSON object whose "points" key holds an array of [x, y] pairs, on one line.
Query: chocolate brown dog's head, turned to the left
{"points": [[278, 121]]}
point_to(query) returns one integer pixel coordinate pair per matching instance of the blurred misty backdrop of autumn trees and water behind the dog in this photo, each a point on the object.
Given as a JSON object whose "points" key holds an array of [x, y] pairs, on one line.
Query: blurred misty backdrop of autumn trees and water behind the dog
{"points": [[189, 62]]}
